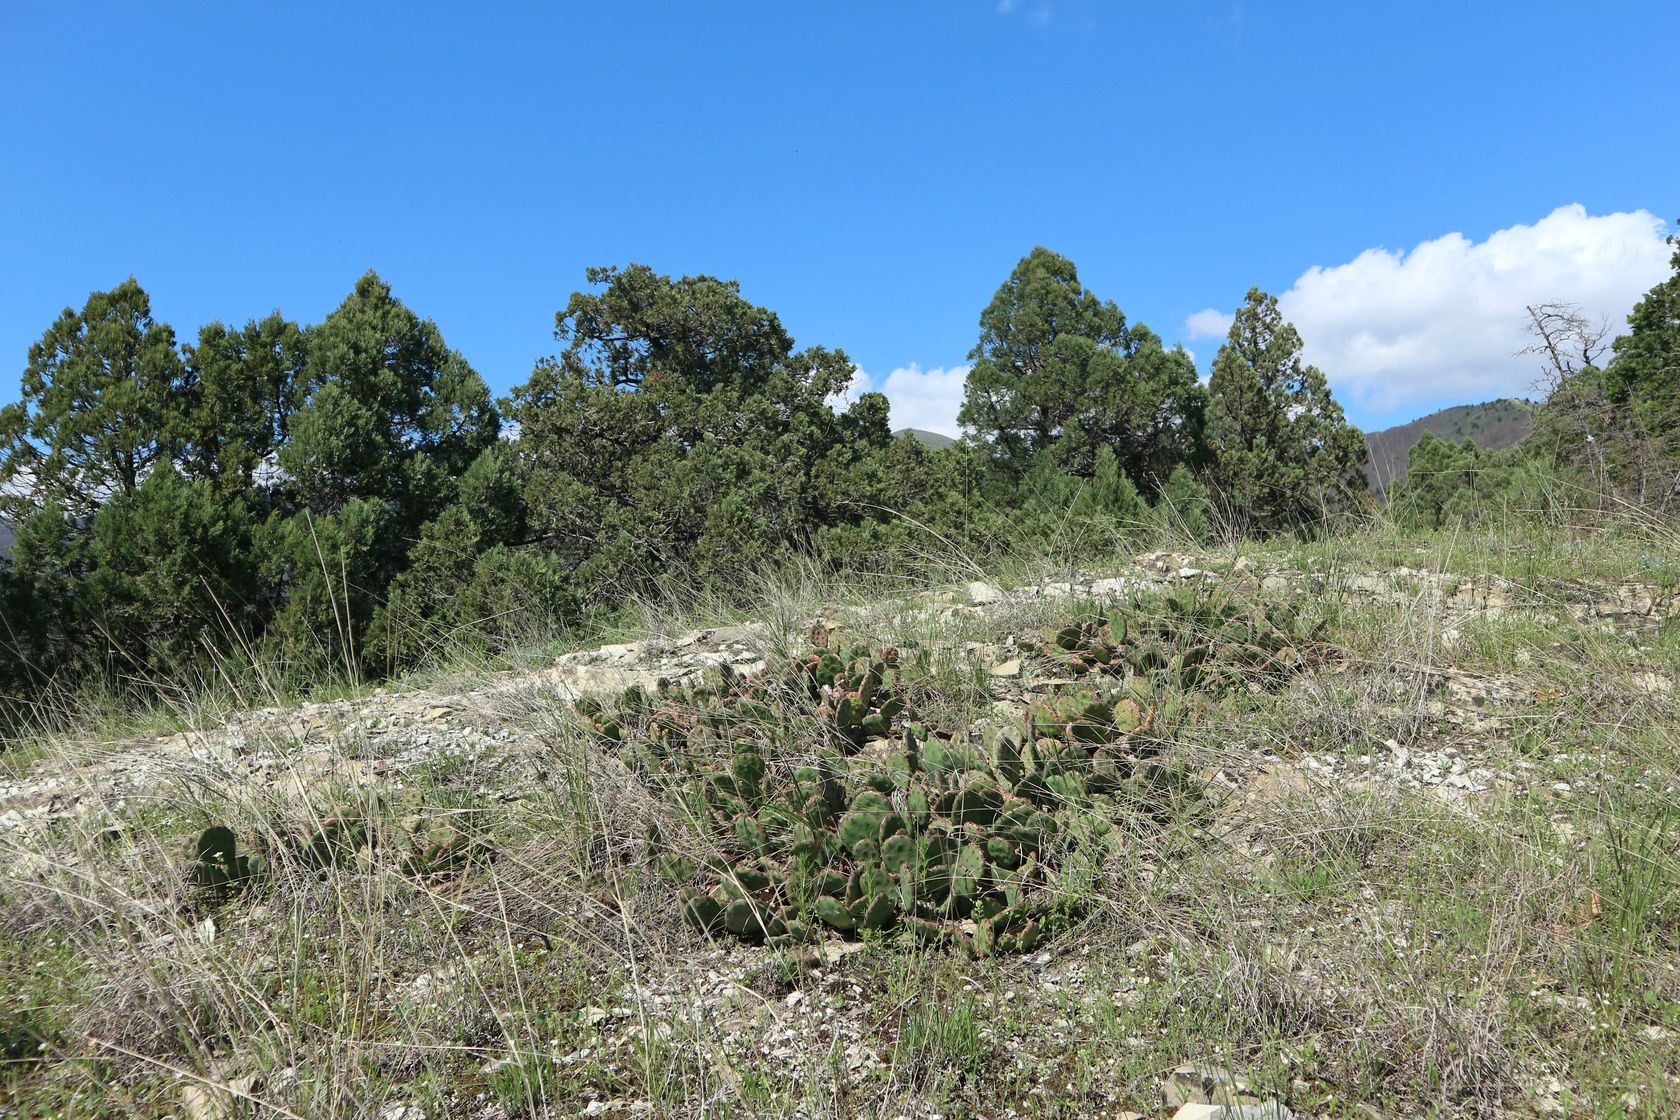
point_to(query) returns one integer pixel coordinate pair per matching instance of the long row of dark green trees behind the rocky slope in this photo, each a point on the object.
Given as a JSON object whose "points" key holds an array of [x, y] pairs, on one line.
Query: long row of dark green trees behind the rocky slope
{"points": [[344, 496]]}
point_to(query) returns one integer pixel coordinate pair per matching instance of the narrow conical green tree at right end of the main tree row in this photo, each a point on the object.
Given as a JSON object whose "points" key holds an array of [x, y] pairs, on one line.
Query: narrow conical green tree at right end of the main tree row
{"points": [[1281, 453]]}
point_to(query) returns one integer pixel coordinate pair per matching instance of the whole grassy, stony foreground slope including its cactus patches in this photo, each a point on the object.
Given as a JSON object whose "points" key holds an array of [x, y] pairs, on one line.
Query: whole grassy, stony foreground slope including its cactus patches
{"points": [[1397, 842]]}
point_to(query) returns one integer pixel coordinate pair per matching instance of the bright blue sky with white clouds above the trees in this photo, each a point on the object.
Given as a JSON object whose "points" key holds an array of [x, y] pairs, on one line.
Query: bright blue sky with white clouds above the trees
{"points": [[871, 172]]}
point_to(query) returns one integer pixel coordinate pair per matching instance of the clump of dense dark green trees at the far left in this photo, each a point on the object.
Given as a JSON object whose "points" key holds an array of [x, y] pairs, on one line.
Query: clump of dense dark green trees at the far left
{"points": [[265, 491]]}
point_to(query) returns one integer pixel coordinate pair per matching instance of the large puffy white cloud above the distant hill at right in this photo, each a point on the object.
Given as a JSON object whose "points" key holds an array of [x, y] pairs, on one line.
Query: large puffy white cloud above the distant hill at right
{"points": [[1447, 320]]}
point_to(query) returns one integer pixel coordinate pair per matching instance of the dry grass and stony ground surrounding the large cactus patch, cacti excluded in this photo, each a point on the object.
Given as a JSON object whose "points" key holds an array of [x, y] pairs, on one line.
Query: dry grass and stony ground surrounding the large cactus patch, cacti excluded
{"points": [[1353, 943]]}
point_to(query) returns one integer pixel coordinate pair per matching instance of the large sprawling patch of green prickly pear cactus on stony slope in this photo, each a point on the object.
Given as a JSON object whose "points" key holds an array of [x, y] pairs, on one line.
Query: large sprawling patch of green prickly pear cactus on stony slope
{"points": [[933, 837]]}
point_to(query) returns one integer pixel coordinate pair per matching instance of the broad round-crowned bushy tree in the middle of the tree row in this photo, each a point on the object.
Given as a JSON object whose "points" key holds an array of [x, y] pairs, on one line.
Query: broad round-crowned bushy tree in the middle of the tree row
{"points": [[681, 432]]}
